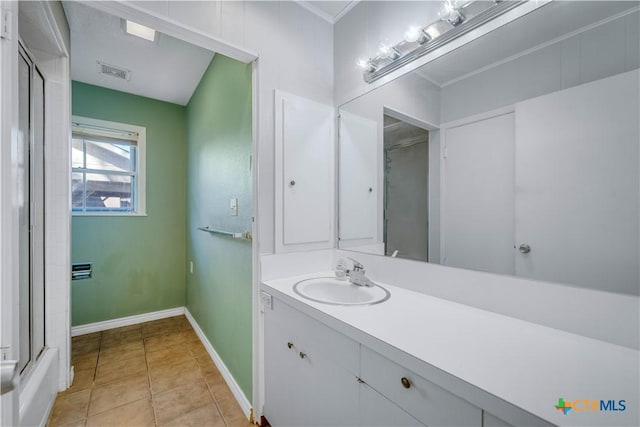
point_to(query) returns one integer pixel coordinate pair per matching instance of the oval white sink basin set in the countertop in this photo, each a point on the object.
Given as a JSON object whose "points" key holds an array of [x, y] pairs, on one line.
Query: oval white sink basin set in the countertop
{"points": [[329, 290]]}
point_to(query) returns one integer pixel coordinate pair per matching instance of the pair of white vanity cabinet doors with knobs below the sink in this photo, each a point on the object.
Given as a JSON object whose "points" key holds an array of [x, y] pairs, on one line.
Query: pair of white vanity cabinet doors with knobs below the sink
{"points": [[310, 371]]}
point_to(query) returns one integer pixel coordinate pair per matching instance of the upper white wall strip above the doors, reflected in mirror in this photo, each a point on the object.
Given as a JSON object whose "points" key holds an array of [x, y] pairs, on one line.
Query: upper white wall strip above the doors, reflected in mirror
{"points": [[603, 51]]}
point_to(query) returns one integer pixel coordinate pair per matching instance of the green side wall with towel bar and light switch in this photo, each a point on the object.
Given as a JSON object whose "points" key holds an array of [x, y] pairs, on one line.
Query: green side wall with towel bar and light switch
{"points": [[218, 169]]}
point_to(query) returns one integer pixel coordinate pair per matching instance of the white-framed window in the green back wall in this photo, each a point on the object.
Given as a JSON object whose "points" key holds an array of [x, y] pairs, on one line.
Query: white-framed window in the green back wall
{"points": [[107, 168]]}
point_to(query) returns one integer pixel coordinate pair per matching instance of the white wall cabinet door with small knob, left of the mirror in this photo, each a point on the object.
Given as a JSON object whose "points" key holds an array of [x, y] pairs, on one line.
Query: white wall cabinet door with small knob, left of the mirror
{"points": [[304, 174]]}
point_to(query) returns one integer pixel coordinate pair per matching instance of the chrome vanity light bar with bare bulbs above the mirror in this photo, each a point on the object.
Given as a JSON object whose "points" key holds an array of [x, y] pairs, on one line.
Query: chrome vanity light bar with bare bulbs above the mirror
{"points": [[457, 17]]}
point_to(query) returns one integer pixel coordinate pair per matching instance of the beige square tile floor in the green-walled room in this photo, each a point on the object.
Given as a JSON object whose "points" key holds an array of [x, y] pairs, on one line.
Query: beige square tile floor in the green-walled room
{"points": [[153, 374]]}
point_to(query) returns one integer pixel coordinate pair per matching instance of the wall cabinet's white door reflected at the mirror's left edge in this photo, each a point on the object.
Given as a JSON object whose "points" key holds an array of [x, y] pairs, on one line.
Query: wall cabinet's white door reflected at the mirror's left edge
{"points": [[358, 154]]}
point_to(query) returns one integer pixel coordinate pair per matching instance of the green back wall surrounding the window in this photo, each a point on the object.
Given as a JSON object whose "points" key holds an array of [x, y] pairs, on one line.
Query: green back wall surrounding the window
{"points": [[139, 263]]}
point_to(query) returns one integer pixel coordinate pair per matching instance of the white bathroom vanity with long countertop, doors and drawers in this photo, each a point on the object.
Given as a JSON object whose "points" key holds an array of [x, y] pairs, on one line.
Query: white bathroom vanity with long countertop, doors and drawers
{"points": [[418, 360]]}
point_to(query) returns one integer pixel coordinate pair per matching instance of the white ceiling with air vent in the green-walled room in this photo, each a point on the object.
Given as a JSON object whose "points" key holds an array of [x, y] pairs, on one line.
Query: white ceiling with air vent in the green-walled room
{"points": [[167, 69]]}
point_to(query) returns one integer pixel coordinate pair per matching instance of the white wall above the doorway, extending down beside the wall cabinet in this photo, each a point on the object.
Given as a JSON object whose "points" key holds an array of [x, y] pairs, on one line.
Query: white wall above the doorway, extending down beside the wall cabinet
{"points": [[295, 50]]}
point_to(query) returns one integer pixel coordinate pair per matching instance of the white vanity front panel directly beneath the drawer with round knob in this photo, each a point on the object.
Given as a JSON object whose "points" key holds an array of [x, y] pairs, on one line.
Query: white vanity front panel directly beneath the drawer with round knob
{"points": [[377, 410]]}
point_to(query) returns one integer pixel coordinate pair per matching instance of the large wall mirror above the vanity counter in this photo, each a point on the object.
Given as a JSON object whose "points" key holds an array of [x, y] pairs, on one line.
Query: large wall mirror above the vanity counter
{"points": [[517, 153]]}
